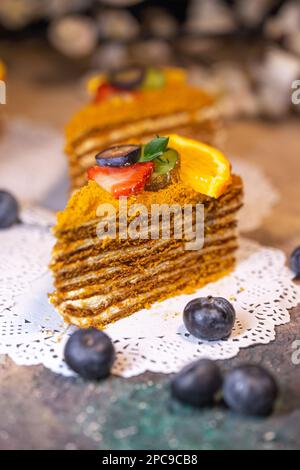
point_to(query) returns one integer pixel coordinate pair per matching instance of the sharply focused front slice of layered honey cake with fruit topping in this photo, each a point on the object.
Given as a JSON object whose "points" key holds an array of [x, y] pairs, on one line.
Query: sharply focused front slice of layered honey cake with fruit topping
{"points": [[105, 269]]}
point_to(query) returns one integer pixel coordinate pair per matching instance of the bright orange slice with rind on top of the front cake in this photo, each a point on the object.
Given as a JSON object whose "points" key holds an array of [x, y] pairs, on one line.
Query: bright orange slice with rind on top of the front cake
{"points": [[202, 167]]}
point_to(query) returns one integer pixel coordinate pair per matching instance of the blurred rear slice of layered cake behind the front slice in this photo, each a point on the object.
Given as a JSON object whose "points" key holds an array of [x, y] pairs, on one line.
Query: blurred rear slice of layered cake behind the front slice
{"points": [[137, 103]]}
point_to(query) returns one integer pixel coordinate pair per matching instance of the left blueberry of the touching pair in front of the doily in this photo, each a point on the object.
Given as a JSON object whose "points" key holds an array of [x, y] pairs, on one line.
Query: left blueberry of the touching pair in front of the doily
{"points": [[197, 383]]}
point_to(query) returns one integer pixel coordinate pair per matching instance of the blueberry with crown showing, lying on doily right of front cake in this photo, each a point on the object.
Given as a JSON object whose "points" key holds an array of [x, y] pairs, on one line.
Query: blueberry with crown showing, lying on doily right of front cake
{"points": [[209, 318]]}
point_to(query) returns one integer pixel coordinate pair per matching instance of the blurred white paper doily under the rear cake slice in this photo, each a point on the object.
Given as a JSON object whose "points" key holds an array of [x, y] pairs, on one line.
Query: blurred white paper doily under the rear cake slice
{"points": [[33, 167]]}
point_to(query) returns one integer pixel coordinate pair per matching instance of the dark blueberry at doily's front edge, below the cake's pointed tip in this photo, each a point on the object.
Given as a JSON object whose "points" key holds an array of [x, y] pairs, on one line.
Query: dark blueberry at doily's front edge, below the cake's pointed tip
{"points": [[90, 353]]}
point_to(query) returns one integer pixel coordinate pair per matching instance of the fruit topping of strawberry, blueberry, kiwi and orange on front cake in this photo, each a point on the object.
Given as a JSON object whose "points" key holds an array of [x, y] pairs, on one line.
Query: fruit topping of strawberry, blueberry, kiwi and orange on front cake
{"points": [[127, 169]]}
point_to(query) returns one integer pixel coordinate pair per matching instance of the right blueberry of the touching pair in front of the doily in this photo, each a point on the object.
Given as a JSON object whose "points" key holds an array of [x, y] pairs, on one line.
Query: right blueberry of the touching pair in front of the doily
{"points": [[251, 390]]}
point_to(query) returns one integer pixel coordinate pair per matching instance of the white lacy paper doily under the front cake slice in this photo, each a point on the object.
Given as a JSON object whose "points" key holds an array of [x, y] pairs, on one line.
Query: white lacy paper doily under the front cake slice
{"points": [[31, 332]]}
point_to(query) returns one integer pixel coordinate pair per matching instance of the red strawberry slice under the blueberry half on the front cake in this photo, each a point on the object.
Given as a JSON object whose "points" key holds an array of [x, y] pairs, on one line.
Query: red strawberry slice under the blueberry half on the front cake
{"points": [[122, 181]]}
